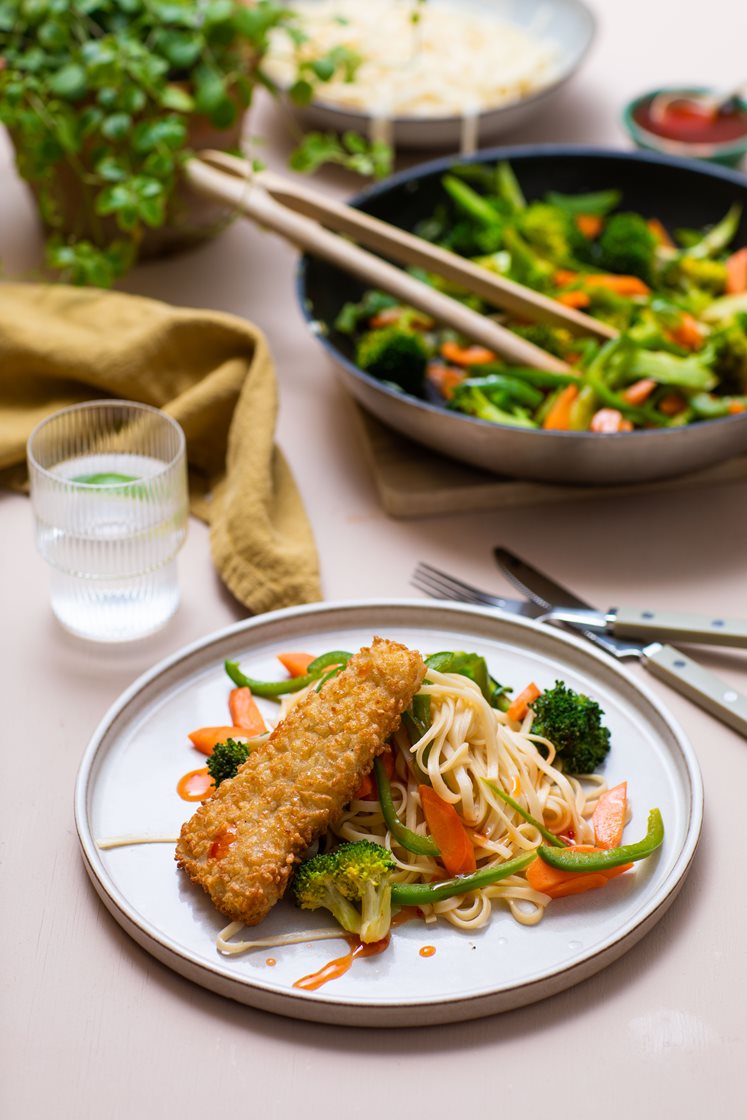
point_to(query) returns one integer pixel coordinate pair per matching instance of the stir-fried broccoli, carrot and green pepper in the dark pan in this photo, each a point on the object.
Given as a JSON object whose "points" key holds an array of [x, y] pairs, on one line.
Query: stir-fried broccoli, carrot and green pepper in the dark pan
{"points": [[679, 300]]}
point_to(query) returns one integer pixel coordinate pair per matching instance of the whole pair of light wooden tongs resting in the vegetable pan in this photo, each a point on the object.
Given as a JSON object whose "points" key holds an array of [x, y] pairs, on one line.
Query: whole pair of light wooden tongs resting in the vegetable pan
{"points": [[307, 219]]}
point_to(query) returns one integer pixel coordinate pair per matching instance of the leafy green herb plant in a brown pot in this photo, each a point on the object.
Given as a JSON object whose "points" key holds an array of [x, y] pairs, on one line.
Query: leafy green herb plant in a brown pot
{"points": [[106, 99]]}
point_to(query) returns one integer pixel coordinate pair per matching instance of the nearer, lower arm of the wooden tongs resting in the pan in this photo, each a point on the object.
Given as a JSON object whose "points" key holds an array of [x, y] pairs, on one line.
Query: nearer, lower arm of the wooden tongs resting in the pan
{"points": [[249, 198]]}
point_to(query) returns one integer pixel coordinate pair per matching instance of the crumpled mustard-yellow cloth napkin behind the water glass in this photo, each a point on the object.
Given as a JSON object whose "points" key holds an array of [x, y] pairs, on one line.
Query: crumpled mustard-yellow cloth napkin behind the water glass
{"points": [[210, 371]]}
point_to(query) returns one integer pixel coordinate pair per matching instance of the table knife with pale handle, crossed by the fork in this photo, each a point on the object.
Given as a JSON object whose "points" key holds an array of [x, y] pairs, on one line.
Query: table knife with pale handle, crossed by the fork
{"points": [[669, 665]]}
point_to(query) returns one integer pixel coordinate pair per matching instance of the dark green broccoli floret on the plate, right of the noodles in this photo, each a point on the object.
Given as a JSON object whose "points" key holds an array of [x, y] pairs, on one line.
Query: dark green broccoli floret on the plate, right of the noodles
{"points": [[572, 722]]}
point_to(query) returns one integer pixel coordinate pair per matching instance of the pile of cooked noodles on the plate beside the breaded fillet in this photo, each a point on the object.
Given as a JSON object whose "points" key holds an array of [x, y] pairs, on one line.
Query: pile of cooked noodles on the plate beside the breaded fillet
{"points": [[468, 742]]}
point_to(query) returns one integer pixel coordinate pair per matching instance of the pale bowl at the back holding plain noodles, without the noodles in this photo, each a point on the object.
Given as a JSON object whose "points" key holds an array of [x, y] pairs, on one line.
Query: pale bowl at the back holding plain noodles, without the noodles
{"points": [[567, 25]]}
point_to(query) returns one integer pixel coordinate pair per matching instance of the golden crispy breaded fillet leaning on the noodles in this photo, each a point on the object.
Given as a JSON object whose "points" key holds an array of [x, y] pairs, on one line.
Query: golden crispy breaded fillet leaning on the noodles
{"points": [[241, 846]]}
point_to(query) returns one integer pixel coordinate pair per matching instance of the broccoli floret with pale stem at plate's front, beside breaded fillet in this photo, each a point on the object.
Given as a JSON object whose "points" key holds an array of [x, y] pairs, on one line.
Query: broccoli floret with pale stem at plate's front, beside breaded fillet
{"points": [[357, 875]]}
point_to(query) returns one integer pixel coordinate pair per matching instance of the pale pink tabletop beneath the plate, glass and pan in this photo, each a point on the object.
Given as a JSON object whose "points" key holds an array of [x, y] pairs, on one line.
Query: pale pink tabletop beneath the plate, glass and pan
{"points": [[92, 1026]]}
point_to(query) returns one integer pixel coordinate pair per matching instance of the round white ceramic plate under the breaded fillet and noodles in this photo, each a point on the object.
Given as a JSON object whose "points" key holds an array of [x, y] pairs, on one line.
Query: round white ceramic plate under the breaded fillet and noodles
{"points": [[127, 783]]}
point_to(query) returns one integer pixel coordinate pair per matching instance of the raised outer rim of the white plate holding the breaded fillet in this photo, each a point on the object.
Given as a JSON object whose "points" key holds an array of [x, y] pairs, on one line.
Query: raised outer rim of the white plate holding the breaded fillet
{"points": [[340, 1011]]}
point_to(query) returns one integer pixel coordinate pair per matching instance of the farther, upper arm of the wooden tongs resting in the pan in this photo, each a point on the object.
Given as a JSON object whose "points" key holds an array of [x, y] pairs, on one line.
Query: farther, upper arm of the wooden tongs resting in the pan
{"points": [[408, 249]]}
